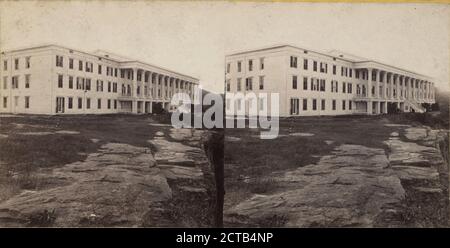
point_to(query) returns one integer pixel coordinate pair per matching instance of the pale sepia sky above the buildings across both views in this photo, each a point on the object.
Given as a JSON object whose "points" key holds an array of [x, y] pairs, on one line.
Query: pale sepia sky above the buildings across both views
{"points": [[193, 37]]}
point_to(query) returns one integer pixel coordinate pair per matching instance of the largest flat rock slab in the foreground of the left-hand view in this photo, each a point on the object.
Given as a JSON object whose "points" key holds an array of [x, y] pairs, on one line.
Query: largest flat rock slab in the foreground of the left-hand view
{"points": [[116, 186]]}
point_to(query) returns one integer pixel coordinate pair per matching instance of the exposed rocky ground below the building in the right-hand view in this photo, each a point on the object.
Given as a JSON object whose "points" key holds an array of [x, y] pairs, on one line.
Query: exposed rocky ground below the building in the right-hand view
{"points": [[403, 182]]}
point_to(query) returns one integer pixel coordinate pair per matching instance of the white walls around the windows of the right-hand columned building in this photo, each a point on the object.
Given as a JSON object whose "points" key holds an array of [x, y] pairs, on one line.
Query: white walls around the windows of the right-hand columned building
{"points": [[279, 73]]}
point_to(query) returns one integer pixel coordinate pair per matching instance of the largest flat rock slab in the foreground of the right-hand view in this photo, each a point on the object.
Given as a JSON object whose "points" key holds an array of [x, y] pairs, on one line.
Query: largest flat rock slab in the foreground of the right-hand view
{"points": [[350, 187]]}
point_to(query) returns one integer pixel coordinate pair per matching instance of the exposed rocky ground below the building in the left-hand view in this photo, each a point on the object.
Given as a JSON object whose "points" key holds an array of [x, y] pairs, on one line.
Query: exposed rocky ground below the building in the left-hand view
{"points": [[165, 183]]}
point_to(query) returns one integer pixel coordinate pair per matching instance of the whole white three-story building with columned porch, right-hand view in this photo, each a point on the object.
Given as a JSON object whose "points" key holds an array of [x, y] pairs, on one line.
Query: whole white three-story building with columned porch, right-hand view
{"points": [[316, 83]]}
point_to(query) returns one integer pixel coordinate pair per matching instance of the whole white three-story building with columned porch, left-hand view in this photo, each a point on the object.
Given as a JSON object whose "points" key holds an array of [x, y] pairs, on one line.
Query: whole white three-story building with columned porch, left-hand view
{"points": [[53, 79]]}
